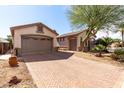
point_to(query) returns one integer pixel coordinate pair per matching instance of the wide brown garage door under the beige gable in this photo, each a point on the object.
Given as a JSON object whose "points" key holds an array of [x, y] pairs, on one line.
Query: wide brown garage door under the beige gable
{"points": [[35, 45]]}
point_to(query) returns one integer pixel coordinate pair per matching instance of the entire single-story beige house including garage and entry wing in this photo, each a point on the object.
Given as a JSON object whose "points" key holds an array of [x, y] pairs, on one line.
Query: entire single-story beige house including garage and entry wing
{"points": [[39, 38]]}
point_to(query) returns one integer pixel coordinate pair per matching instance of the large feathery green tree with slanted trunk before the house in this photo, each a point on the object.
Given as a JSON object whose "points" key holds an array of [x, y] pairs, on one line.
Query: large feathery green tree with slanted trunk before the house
{"points": [[95, 17]]}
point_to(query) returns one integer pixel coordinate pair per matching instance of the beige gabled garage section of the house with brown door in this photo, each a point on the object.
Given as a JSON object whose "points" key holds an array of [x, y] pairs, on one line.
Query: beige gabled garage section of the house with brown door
{"points": [[33, 38]]}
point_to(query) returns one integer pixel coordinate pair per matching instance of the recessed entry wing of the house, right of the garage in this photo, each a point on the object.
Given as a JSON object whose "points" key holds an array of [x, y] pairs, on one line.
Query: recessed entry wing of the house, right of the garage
{"points": [[75, 41]]}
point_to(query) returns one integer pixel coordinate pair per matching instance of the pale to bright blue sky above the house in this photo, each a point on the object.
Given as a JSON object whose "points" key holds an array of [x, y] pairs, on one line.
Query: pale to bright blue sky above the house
{"points": [[53, 16]]}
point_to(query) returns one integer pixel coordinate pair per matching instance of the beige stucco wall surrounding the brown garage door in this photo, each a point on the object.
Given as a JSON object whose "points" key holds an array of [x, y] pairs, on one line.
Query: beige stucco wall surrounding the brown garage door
{"points": [[32, 30]]}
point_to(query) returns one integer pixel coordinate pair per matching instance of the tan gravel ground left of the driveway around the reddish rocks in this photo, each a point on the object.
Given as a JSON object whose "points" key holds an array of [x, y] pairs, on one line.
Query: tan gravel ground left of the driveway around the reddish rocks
{"points": [[7, 72]]}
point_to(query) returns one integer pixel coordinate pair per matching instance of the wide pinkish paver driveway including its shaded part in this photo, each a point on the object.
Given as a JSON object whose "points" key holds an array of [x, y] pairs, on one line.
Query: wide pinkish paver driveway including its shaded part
{"points": [[66, 70]]}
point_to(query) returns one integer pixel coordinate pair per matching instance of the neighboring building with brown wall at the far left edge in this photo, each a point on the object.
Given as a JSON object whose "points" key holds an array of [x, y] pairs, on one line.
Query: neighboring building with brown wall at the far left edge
{"points": [[4, 46]]}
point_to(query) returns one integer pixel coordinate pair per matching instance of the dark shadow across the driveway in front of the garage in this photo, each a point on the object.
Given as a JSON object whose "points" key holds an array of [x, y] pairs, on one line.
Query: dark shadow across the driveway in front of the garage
{"points": [[47, 56]]}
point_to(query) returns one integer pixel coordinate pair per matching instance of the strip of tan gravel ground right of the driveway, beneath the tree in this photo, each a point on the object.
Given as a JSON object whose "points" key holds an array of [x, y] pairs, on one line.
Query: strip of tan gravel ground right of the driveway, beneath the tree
{"points": [[106, 58]]}
